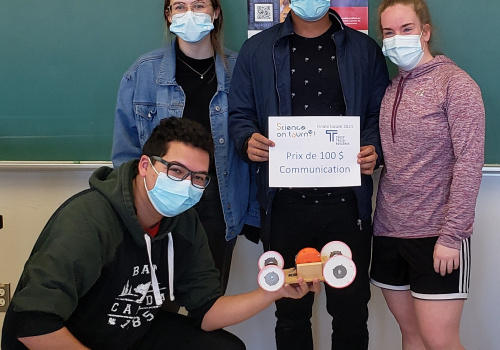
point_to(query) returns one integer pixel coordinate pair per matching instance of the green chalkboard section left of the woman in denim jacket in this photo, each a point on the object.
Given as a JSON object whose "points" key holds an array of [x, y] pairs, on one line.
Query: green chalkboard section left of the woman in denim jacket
{"points": [[61, 62]]}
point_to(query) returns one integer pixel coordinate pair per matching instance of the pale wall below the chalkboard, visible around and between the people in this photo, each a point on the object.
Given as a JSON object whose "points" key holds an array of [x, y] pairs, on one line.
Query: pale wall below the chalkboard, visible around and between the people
{"points": [[29, 197]]}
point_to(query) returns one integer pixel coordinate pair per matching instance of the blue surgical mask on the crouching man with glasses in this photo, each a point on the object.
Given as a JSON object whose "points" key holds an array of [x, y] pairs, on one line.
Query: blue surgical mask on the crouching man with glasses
{"points": [[170, 197]]}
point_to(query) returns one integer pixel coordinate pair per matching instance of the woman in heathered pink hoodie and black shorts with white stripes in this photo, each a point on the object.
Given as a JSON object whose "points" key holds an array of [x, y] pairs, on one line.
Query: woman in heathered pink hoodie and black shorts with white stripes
{"points": [[432, 130]]}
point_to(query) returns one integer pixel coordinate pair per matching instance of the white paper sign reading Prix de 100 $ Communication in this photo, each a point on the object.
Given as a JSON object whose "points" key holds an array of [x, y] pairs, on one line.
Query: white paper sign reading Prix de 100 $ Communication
{"points": [[314, 151]]}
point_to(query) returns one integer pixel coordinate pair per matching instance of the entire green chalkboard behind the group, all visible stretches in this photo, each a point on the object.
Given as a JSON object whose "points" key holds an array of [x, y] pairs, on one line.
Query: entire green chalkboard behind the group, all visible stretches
{"points": [[61, 62]]}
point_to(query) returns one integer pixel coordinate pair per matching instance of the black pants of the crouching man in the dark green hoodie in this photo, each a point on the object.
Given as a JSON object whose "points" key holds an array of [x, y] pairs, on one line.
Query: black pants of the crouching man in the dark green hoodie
{"points": [[171, 331]]}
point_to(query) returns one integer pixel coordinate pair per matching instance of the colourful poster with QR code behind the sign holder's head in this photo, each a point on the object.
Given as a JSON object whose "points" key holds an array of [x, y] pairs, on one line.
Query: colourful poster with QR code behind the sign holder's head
{"points": [[263, 14]]}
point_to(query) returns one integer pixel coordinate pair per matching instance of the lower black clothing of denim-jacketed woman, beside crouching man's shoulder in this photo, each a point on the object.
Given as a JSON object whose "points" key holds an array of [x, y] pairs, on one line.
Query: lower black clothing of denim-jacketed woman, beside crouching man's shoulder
{"points": [[209, 210]]}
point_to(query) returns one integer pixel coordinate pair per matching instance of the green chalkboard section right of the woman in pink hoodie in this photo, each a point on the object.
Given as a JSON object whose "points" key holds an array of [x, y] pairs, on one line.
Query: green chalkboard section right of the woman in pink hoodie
{"points": [[466, 31]]}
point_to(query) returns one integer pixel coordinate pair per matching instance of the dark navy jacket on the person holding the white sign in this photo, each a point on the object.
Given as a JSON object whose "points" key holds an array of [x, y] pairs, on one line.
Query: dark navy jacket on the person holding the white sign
{"points": [[364, 78]]}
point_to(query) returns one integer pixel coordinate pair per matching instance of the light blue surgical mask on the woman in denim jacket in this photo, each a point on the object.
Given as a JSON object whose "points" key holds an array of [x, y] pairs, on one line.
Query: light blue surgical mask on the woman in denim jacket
{"points": [[191, 27]]}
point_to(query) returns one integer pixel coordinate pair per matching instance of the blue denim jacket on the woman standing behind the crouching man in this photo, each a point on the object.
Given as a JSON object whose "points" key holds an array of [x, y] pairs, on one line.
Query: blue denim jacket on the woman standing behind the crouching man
{"points": [[149, 92]]}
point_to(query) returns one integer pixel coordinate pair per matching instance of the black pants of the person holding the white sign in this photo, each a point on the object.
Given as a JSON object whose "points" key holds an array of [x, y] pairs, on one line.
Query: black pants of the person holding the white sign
{"points": [[299, 221]]}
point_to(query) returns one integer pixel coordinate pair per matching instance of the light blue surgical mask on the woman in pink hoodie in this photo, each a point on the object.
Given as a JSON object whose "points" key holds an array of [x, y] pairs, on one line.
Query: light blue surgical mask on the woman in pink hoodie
{"points": [[405, 51]]}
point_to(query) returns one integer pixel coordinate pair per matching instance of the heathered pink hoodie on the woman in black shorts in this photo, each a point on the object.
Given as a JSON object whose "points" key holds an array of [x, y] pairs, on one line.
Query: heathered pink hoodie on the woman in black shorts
{"points": [[432, 128]]}
